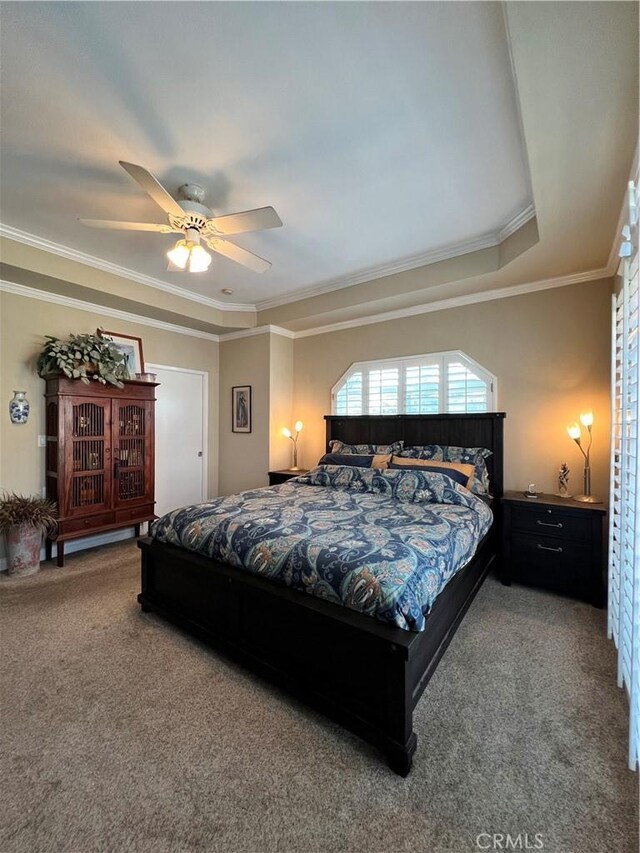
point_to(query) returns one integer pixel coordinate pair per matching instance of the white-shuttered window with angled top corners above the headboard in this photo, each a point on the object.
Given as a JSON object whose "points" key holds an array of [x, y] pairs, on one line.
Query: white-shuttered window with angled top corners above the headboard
{"points": [[422, 384]]}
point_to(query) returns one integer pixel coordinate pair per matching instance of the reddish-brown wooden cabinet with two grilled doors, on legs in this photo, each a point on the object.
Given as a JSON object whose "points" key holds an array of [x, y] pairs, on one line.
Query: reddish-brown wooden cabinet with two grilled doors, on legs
{"points": [[99, 456]]}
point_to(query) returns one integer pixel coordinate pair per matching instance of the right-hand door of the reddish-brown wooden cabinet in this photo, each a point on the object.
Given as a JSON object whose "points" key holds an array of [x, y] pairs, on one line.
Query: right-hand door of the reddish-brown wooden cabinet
{"points": [[133, 462]]}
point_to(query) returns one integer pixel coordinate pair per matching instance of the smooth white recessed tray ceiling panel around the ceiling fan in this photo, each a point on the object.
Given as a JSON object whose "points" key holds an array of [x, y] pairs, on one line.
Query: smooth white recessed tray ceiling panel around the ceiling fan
{"points": [[378, 131]]}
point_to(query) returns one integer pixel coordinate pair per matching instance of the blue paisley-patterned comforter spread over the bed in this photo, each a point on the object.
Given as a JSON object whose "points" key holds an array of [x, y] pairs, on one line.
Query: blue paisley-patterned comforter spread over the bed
{"points": [[383, 542]]}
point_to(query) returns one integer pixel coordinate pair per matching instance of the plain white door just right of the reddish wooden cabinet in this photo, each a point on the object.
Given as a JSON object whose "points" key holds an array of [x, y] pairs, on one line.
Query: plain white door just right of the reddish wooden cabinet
{"points": [[181, 433]]}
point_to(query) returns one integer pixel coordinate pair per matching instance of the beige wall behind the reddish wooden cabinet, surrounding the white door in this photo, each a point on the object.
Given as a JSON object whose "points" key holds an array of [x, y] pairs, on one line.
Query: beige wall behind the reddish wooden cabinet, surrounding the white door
{"points": [[23, 324]]}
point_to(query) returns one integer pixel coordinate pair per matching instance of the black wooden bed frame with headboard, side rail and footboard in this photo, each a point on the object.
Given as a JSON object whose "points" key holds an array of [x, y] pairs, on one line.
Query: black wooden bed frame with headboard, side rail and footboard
{"points": [[364, 674]]}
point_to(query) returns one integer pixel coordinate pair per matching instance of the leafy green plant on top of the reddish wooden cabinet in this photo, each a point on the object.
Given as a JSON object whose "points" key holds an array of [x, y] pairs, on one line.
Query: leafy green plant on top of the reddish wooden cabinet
{"points": [[84, 357]]}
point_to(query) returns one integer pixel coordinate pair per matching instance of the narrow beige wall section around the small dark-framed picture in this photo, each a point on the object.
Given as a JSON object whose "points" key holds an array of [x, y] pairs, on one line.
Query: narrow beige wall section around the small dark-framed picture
{"points": [[244, 457]]}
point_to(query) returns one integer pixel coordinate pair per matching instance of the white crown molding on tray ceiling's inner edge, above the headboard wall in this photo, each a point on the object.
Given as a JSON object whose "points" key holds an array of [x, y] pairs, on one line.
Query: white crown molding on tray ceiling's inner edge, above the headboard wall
{"points": [[433, 256]]}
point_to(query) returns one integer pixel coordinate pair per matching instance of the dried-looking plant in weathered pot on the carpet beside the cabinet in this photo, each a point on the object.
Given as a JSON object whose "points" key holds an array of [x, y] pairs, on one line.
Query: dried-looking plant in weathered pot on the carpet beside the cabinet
{"points": [[23, 520]]}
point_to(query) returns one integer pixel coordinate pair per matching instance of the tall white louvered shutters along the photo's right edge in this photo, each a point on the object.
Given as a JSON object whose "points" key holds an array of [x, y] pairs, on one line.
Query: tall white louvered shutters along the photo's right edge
{"points": [[624, 515]]}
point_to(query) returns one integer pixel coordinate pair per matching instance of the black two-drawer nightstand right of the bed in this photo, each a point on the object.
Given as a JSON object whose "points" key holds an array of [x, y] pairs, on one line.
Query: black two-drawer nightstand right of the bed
{"points": [[555, 543]]}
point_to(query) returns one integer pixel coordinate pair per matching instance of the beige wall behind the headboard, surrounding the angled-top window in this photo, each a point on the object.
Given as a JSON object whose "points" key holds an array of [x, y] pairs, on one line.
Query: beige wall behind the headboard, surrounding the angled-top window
{"points": [[550, 351]]}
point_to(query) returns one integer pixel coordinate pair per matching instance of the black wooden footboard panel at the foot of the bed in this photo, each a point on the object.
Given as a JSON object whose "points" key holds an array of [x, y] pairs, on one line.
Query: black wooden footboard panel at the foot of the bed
{"points": [[358, 677]]}
